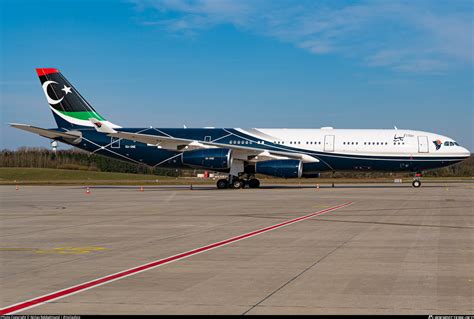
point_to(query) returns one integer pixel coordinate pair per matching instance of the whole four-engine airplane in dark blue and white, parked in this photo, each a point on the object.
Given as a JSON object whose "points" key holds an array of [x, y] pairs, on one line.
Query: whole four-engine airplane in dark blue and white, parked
{"points": [[242, 153]]}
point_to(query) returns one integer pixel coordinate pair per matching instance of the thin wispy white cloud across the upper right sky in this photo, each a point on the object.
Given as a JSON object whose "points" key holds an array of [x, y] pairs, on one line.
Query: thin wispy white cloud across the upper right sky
{"points": [[405, 36]]}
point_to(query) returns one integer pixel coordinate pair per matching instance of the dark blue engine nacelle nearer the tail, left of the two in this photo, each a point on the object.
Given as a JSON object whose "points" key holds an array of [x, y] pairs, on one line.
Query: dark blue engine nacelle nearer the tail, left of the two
{"points": [[211, 158]]}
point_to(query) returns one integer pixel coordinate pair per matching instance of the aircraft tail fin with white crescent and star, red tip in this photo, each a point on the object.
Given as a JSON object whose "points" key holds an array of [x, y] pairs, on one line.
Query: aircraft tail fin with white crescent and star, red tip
{"points": [[69, 108]]}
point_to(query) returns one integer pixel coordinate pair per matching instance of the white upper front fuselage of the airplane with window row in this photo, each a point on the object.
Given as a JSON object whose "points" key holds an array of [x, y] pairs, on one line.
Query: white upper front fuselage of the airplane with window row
{"points": [[370, 142]]}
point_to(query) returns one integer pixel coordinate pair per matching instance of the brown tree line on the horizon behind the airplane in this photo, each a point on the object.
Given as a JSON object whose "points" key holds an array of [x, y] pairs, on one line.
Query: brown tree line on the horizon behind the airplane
{"points": [[81, 160]]}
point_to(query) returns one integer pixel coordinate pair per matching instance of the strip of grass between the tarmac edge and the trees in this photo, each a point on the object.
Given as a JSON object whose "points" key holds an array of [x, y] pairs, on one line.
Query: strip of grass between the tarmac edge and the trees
{"points": [[47, 176]]}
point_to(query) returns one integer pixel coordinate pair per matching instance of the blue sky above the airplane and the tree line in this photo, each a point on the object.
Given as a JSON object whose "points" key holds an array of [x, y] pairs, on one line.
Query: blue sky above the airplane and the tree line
{"points": [[259, 63]]}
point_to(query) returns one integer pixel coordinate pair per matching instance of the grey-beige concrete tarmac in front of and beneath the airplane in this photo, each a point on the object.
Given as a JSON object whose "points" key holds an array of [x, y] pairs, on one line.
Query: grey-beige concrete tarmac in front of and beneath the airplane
{"points": [[394, 250]]}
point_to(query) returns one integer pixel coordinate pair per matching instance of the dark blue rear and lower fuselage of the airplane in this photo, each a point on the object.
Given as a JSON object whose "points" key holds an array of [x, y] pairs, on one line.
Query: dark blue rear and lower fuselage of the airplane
{"points": [[151, 155]]}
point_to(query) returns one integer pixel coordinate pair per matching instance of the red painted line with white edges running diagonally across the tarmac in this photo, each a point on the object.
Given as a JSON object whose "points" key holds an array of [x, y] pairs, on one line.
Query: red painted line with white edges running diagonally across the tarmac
{"points": [[133, 271]]}
